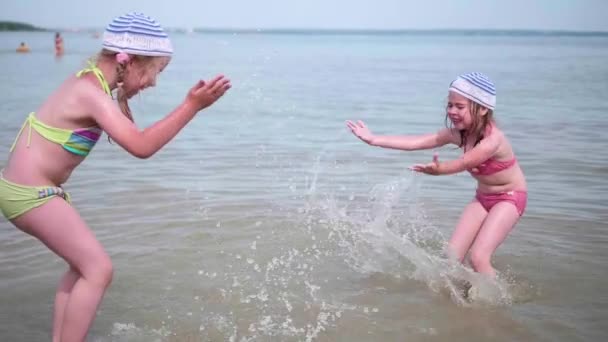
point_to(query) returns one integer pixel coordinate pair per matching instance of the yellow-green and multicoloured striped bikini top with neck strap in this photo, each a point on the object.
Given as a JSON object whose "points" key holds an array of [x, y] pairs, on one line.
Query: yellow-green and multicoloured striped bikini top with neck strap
{"points": [[79, 141]]}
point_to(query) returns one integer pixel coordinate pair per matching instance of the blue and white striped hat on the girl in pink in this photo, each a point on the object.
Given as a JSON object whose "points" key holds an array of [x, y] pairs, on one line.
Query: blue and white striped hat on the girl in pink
{"points": [[476, 87]]}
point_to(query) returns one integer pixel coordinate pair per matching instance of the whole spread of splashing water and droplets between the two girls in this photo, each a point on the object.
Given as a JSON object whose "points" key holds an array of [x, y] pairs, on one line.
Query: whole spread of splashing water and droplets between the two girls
{"points": [[282, 285]]}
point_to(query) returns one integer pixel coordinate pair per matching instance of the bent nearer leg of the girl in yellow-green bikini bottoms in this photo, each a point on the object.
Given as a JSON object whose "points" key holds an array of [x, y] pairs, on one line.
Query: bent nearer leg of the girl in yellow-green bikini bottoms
{"points": [[60, 228]]}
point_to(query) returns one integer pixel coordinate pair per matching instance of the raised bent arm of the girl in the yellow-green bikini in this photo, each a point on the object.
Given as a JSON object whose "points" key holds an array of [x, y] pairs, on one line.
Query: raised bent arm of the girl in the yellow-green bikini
{"points": [[145, 143]]}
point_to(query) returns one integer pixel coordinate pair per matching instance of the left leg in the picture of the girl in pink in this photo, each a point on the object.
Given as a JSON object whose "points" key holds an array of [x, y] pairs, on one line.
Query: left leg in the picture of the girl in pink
{"points": [[468, 226]]}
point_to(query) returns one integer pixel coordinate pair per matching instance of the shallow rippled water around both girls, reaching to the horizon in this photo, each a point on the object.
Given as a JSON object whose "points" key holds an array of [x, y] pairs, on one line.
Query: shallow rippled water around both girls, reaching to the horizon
{"points": [[266, 220]]}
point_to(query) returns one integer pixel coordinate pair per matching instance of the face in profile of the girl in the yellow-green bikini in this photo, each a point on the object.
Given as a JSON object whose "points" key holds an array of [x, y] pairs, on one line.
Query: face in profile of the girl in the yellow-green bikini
{"points": [[141, 74]]}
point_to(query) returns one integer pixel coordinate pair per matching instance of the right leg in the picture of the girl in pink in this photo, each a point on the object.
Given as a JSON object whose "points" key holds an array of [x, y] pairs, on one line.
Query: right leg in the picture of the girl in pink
{"points": [[500, 221]]}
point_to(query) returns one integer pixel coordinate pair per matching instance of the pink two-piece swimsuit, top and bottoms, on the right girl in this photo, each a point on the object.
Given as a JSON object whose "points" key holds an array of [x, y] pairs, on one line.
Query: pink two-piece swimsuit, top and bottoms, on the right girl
{"points": [[488, 200]]}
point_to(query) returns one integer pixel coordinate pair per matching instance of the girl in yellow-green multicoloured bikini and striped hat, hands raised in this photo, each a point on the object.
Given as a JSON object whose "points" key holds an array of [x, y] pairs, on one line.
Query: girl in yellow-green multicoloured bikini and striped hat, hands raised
{"points": [[60, 134]]}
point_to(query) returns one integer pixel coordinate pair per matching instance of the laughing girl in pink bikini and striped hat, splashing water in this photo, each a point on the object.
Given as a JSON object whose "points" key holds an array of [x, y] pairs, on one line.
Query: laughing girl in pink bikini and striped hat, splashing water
{"points": [[501, 194]]}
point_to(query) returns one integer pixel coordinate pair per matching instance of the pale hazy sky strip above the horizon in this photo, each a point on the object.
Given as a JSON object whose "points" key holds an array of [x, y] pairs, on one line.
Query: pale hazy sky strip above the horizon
{"points": [[570, 15]]}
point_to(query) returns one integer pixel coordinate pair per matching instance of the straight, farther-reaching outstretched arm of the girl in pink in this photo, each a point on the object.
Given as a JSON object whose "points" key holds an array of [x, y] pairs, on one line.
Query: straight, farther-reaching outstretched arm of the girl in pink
{"points": [[404, 142]]}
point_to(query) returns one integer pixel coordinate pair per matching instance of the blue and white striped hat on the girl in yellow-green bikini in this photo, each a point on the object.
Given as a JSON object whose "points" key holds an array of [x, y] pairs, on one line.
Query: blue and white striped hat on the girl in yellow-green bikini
{"points": [[137, 34]]}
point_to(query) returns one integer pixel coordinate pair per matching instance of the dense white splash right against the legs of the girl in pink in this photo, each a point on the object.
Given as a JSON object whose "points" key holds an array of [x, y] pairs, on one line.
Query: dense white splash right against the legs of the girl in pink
{"points": [[375, 239]]}
